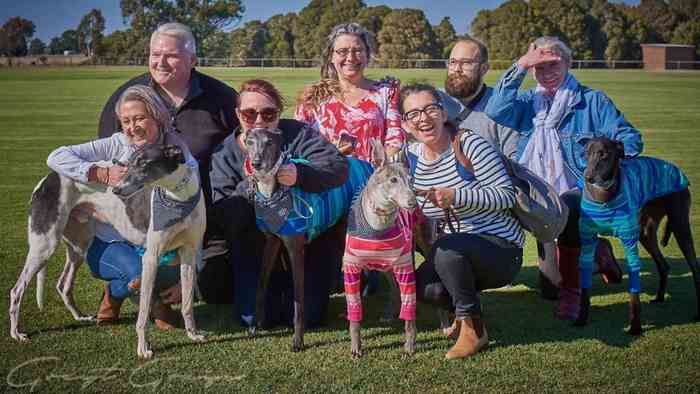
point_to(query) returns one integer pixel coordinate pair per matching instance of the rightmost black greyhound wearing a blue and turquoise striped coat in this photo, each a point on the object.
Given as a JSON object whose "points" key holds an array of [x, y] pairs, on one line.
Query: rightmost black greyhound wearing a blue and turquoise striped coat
{"points": [[627, 199]]}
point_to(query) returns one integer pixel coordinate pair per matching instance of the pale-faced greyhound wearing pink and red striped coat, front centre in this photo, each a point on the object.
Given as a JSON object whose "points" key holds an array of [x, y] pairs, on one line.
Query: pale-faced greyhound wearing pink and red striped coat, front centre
{"points": [[379, 207]]}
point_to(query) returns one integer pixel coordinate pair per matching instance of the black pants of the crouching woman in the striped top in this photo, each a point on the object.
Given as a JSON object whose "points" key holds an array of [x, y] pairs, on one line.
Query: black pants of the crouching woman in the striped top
{"points": [[461, 265]]}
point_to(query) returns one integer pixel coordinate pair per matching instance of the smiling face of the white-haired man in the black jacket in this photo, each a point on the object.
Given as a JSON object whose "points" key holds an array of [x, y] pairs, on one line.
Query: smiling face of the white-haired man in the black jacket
{"points": [[170, 64]]}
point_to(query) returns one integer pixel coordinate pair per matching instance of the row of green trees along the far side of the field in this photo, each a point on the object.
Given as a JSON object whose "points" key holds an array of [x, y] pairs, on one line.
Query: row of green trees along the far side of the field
{"points": [[594, 29]]}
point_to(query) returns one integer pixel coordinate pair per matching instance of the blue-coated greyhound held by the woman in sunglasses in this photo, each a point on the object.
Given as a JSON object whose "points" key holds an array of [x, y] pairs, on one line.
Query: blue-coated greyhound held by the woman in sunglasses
{"points": [[292, 215]]}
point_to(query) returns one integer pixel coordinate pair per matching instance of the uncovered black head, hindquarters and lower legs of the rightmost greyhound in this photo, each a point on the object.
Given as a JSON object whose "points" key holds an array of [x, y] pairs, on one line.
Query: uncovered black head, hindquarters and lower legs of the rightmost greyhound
{"points": [[602, 184]]}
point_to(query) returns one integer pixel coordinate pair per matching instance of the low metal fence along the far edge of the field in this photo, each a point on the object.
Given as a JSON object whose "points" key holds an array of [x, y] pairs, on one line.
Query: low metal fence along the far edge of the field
{"points": [[314, 63]]}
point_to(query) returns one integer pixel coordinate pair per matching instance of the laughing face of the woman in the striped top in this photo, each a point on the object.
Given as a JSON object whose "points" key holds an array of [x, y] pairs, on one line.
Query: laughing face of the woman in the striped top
{"points": [[424, 118]]}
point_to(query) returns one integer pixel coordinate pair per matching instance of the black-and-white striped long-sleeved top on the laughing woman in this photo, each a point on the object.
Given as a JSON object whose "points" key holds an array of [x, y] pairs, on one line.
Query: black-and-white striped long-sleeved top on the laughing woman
{"points": [[483, 202]]}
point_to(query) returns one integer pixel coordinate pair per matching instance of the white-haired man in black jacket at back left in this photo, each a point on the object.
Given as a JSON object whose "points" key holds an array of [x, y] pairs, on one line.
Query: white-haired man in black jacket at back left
{"points": [[202, 112]]}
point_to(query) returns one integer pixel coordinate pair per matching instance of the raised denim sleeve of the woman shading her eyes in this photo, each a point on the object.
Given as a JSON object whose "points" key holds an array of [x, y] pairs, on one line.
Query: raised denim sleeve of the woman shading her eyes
{"points": [[508, 108]]}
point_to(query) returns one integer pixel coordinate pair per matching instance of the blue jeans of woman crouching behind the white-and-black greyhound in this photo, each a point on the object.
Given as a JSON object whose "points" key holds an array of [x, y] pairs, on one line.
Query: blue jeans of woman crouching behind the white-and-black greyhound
{"points": [[119, 263]]}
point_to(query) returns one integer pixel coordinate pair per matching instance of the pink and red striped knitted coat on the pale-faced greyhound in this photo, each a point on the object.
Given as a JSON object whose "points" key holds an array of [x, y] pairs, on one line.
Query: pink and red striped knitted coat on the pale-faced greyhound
{"points": [[385, 250]]}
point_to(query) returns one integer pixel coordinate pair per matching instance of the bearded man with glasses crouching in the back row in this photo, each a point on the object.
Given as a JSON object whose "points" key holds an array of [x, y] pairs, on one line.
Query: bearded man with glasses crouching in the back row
{"points": [[466, 95]]}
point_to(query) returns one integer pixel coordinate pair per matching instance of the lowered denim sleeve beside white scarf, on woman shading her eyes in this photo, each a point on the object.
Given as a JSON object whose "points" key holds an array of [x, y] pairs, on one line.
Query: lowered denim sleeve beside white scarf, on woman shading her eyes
{"points": [[613, 124]]}
